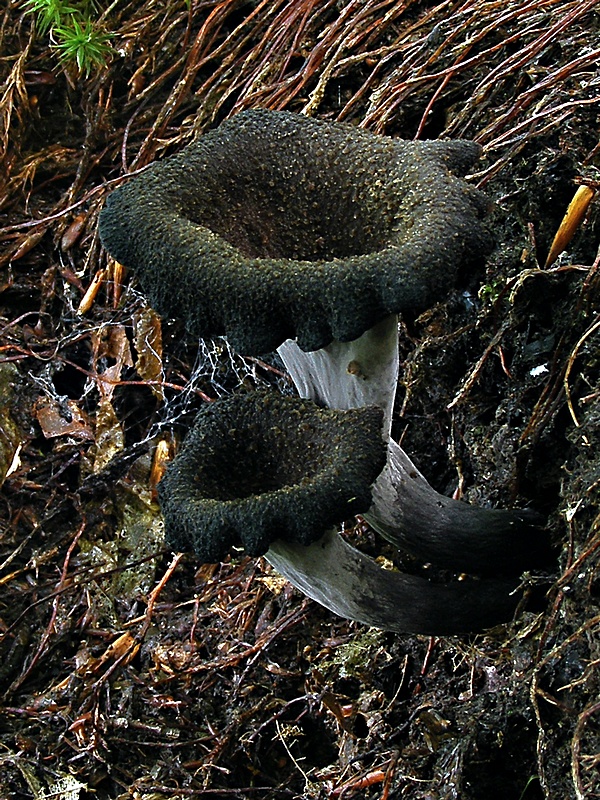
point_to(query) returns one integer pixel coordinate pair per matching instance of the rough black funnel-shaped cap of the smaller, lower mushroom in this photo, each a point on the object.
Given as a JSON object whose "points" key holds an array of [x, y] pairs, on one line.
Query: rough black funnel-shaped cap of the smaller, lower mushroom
{"points": [[260, 467]]}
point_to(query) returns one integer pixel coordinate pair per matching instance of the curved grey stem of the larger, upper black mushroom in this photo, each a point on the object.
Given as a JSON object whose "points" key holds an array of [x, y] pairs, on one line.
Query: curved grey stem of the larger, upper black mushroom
{"points": [[406, 510]]}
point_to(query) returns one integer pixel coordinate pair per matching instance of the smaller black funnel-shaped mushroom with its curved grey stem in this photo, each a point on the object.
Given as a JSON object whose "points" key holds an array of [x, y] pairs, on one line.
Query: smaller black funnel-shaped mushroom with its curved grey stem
{"points": [[274, 474]]}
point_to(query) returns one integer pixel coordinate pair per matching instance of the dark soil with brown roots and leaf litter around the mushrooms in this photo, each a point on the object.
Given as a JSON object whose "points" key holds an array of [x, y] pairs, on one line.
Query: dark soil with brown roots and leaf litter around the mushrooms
{"points": [[127, 672]]}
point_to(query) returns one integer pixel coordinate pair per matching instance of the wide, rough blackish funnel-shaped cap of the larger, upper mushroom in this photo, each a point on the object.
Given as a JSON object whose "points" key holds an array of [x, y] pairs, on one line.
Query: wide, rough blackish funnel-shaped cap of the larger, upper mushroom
{"points": [[278, 226]]}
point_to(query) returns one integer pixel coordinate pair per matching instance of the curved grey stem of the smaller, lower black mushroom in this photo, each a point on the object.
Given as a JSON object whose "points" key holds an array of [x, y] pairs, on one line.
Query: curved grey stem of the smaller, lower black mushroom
{"points": [[351, 584]]}
